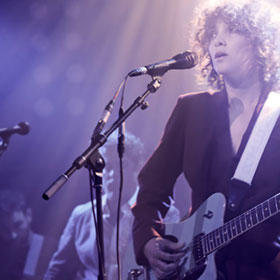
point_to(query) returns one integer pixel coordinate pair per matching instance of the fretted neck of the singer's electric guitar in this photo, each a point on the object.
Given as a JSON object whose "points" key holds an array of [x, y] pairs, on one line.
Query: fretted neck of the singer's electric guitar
{"points": [[219, 237]]}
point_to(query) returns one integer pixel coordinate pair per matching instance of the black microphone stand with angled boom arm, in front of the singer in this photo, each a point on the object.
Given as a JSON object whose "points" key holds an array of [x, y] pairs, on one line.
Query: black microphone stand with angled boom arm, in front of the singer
{"points": [[85, 159]]}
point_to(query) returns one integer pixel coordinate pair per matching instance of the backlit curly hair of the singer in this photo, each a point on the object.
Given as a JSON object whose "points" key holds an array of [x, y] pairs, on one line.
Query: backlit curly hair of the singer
{"points": [[256, 20]]}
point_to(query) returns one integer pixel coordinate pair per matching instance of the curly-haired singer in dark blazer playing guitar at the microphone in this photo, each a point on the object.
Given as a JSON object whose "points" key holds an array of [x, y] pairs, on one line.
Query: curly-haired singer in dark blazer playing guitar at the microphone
{"points": [[237, 43]]}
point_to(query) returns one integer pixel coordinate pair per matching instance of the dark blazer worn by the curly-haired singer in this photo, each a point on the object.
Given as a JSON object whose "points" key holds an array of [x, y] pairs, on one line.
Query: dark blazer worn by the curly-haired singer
{"points": [[197, 142]]}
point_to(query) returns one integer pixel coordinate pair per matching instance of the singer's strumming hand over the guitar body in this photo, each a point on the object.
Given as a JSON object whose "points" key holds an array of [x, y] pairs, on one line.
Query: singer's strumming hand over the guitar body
{"points": [[164, 256]]}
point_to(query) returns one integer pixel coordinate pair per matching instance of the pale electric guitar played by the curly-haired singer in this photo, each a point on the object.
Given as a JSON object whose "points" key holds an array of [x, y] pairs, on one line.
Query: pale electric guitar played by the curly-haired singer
{"points": [[204, 233]]}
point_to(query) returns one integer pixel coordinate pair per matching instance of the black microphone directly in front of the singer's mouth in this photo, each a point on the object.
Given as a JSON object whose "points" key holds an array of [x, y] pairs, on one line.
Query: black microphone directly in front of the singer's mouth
{"points": [[183, 60]]}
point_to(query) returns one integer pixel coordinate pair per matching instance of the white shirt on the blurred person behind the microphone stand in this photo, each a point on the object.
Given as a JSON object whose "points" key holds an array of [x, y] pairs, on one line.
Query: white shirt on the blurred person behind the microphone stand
{"points": [[77, 244]]}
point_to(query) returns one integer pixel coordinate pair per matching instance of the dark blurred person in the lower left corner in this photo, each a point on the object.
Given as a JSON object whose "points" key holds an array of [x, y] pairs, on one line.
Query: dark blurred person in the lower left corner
{"points": [[24, 254]]}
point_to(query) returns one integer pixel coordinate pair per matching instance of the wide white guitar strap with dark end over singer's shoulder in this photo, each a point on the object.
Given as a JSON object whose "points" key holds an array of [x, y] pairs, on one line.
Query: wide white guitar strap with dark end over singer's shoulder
{"points": [[250, 158]]}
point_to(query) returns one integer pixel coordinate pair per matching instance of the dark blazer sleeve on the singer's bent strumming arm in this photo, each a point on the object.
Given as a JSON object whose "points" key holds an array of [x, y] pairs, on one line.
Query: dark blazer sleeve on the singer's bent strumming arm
{"points": [[156, 181]]}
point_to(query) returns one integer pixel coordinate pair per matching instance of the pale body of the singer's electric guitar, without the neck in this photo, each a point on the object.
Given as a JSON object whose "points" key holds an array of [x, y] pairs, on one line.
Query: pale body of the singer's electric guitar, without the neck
{"points": [[208, 217]]}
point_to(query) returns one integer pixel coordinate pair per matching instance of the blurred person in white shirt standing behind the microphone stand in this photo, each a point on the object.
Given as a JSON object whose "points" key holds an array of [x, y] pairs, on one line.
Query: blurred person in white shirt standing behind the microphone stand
{"points": [[76, 256]]}
